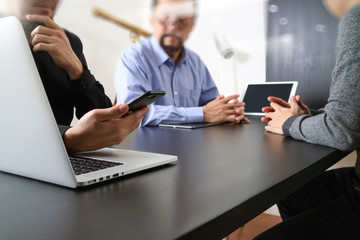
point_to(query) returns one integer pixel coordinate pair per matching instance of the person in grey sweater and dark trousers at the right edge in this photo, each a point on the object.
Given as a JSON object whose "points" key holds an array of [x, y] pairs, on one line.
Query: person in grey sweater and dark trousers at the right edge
{"points": [[328, 207]]}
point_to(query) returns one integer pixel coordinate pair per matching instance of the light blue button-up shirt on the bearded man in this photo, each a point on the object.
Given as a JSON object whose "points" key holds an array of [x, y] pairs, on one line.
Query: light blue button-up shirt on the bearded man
{"points": [[146, 66]]}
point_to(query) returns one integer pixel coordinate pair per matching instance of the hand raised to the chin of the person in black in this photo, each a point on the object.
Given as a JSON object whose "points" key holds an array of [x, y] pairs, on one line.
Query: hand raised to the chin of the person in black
{"points": [[51, 38]]}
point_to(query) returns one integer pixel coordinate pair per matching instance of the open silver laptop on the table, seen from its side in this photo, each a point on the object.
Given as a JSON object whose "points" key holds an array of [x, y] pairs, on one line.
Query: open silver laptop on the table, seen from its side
{"points": [[30, 141]]}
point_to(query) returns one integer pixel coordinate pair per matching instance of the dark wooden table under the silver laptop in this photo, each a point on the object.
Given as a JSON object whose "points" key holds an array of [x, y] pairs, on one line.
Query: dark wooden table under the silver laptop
{"points": [[225, 176]]}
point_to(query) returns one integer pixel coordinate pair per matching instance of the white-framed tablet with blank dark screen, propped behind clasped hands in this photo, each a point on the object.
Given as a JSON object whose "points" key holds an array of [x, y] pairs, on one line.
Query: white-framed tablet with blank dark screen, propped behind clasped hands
{"points": [[256, 95]]}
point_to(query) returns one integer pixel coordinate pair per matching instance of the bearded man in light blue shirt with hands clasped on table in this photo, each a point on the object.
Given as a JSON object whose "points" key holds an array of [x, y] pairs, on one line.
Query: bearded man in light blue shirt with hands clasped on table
{"points": [[161, 62]]}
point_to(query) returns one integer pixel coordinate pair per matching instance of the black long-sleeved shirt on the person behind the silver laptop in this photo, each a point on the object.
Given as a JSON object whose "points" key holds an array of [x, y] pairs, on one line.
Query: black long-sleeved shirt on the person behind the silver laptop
{"points": [[64, 94]]}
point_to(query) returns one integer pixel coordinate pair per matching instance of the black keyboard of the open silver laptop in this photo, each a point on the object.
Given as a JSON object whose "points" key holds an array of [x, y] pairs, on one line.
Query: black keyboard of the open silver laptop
{"points": [[83, 165]]}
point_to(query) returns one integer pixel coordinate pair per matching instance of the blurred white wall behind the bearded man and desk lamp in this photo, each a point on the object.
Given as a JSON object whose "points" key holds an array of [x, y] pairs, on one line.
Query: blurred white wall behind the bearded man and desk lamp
{"points": [[239, 23]]}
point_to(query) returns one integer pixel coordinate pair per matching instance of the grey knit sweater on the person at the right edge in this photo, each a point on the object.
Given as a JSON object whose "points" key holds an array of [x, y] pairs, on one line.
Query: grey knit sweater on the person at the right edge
{"points": [[338, 123]]}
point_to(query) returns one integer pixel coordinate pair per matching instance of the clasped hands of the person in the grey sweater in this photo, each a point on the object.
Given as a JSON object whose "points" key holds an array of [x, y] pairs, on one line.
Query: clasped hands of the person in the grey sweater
{"points": [[279, 111]]}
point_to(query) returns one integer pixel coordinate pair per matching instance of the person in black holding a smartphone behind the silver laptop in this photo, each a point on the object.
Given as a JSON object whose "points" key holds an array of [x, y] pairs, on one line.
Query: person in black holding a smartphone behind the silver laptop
{"points": [[67, 80]]}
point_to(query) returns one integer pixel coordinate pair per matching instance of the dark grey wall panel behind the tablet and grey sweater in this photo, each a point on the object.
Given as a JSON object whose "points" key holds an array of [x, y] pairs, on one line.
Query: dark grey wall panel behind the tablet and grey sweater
{"points": [[301, 47]]}
